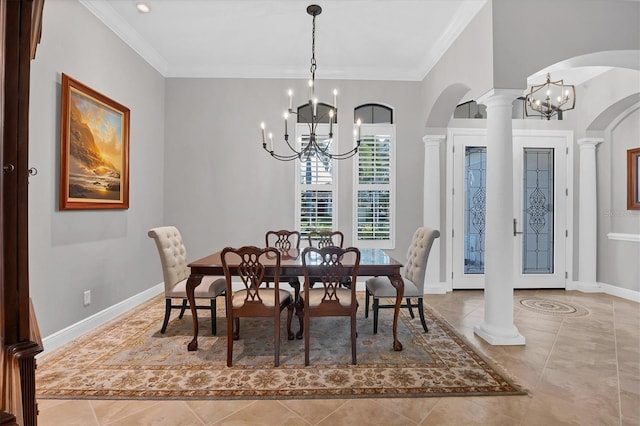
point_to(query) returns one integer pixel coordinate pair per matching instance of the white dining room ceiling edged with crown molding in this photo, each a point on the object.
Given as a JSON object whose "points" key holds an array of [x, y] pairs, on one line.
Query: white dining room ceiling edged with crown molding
{"points": [[355, 39]]}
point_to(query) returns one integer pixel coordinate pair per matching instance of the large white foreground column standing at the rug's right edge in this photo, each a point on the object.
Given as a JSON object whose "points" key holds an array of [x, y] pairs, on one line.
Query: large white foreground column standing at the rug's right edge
{"points": [[498, 327]]}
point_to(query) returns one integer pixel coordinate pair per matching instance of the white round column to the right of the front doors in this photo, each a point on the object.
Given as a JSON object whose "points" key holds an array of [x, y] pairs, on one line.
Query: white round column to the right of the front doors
{"points": [[588, 216]]}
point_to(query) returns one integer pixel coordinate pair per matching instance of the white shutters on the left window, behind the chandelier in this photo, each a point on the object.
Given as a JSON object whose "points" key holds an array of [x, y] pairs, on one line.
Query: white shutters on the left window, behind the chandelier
{"points": [[315, 184]]}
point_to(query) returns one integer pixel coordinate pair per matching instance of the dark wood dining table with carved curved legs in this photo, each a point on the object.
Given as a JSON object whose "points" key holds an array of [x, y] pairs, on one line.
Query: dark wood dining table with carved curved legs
{"points": [[373, 262]]}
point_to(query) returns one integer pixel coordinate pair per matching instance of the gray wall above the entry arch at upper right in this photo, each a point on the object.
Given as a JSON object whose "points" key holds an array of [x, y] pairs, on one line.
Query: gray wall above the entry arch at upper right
{"points": [[550, 31]]}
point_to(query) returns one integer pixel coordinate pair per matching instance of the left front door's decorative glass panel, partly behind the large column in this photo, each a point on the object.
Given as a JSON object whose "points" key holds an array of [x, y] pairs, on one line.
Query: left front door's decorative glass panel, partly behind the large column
{"points": [[474, 209]]}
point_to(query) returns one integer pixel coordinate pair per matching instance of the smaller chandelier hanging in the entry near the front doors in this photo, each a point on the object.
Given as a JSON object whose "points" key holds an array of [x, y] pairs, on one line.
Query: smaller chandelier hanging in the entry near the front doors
{"points": [[550, 99]]}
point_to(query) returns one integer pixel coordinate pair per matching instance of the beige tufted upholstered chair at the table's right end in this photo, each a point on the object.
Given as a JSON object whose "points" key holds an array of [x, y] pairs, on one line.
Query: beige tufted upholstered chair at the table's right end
{"points": [[413, 276]]}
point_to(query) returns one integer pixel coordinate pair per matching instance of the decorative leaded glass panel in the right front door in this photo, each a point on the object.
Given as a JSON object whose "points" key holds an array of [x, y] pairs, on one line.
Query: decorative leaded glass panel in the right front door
{"points": [[537, 244]]}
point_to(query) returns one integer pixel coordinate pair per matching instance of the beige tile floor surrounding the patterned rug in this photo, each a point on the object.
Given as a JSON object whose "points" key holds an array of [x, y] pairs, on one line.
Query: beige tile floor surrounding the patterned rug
{"points": [[578, 371]]}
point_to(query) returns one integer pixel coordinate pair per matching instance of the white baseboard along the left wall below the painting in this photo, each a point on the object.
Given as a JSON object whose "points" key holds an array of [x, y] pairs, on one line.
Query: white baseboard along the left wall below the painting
{"points": [[67, 334]]}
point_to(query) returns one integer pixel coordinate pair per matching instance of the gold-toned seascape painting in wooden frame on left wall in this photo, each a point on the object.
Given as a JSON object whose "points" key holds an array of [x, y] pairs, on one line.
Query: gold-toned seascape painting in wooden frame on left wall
{"points": [[94, 151]]}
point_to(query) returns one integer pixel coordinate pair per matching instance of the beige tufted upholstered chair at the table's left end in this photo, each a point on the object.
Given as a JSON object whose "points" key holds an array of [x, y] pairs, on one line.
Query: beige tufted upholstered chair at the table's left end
{"points": [[173, 258]]}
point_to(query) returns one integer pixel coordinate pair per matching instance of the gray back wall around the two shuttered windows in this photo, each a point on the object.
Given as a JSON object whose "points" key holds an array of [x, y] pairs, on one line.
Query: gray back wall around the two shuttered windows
{"points": [[222, 188]]}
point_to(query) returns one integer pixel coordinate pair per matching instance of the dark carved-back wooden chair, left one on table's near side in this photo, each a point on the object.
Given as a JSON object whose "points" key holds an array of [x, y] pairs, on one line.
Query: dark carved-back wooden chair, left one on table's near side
{"points": [[253, 300]]}
